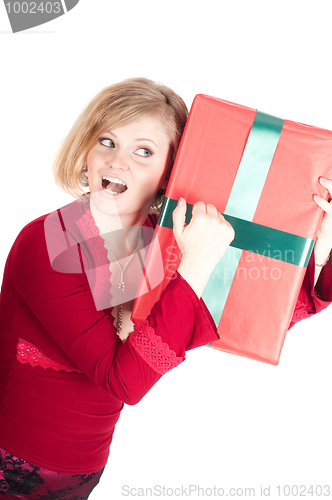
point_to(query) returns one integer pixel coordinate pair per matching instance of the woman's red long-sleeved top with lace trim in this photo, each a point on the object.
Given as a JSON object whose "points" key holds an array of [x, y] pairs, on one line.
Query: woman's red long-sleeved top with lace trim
{"points": [[64, 373]]}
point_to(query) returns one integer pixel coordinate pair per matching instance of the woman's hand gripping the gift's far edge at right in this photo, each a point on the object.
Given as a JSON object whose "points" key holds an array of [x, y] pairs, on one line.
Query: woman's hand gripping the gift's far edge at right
{"points": [[323, 243]]}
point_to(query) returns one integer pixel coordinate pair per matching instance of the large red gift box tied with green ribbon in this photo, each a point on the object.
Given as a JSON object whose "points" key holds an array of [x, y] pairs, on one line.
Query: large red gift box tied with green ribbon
{"points": [[260, 172]]}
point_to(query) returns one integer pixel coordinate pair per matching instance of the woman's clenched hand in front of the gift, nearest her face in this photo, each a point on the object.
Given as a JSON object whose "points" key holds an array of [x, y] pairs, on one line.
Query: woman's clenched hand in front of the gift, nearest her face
{"points": [[202, 242]]}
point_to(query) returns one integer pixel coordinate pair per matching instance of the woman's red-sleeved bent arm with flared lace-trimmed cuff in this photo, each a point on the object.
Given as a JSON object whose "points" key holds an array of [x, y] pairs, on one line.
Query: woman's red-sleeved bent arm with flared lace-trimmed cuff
{"points": [[63, 304]]}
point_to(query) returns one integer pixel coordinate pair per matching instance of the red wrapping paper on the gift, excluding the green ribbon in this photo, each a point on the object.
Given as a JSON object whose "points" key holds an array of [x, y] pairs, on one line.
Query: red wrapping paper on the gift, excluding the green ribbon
{"points": [[264, 290]]}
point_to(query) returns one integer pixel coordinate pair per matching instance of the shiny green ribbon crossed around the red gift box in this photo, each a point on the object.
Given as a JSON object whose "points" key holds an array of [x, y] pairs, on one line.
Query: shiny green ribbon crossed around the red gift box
{"points": [[239, 212]]}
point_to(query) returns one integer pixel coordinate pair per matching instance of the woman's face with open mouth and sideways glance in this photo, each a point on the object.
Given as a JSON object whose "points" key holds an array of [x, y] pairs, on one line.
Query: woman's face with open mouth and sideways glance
{"points": [[127, 166]]}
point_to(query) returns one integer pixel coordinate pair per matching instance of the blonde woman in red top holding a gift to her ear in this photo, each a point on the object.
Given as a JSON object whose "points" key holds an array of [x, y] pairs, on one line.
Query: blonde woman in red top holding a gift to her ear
{"points": [[69, 286]]}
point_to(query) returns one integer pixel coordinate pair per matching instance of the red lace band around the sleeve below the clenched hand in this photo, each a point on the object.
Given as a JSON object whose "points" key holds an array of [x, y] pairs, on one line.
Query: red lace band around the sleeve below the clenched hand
{"points": [[153, 350]]}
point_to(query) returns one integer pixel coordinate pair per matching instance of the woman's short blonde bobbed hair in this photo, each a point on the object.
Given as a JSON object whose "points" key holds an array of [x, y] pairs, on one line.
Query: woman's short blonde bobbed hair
{"points": [[116, 106]]}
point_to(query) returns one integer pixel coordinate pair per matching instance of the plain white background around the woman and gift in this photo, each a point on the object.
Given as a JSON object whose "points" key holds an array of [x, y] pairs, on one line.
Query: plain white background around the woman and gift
{"points": [[217, 420]]}
